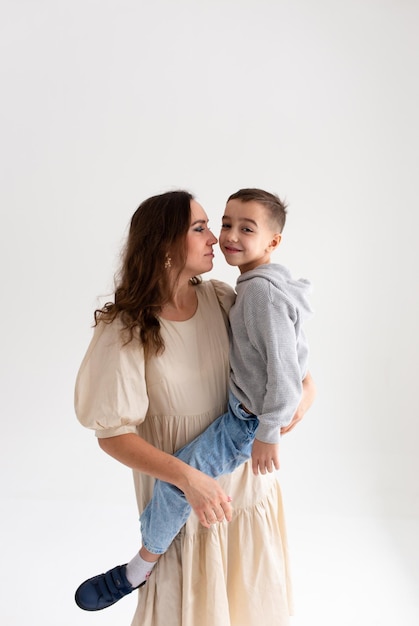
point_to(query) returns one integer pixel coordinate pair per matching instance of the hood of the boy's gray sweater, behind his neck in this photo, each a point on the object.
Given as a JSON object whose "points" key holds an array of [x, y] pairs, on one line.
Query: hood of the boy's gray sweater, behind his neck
{"points": [[294, 290]]}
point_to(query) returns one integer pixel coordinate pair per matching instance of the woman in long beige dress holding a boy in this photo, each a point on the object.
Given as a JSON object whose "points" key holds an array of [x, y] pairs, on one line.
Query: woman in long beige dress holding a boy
{"points": [[154, 376]]}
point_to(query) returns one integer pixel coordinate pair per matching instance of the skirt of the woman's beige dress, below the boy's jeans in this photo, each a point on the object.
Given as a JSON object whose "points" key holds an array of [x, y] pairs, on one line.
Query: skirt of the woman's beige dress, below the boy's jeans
{"points": [[234, 574]]}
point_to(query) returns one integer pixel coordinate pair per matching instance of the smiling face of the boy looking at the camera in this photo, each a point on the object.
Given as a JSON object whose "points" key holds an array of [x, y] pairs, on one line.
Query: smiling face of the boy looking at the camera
{"points": [[247, 237]]}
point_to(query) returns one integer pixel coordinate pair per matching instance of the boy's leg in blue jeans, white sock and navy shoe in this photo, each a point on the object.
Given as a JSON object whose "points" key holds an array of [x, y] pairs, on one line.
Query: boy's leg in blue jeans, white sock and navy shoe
{"points": [[223, 446]]}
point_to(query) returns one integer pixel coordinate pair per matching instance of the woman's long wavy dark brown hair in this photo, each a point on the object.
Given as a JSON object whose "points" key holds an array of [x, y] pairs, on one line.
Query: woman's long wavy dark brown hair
{"points": [[157, 231]]}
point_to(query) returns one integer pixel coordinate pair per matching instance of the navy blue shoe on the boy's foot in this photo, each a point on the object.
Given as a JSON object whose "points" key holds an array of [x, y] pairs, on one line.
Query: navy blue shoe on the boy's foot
{"points": [[104, 590]]}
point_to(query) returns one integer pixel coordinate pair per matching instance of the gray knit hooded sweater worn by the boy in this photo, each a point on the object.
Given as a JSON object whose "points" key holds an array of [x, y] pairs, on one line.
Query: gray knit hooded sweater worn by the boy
{"points": [[268, 351]]}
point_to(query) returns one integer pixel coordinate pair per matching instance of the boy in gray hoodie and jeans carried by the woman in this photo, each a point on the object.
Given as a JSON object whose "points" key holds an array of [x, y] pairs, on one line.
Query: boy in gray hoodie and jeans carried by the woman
{"points": [[268, 359]]}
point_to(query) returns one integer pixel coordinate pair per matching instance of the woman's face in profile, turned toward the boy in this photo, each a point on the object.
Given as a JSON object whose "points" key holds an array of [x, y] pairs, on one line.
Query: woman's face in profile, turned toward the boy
{"points": [[199, 243]]}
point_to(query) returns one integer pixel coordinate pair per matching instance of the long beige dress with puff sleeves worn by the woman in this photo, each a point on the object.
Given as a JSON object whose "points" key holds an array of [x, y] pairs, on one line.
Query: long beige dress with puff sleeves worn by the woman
{"points": [[233, 574]]}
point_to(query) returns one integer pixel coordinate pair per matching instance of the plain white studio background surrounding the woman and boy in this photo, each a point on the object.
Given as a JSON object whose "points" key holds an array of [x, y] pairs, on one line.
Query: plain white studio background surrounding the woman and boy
{"points": [[107, 102]]}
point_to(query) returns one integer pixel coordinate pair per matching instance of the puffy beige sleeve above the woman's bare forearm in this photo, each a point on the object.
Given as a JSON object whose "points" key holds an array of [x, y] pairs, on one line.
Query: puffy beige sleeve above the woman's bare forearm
{"points": [[111, 395]]}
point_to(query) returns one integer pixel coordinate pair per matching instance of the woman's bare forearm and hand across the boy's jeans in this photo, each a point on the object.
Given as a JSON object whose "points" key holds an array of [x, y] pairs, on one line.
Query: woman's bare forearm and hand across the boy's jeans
{"points": [[203, 493]]}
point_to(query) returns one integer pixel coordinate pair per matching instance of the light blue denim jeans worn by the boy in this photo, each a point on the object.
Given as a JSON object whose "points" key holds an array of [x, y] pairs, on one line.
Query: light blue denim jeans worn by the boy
{"points": [[223, 446]]}
